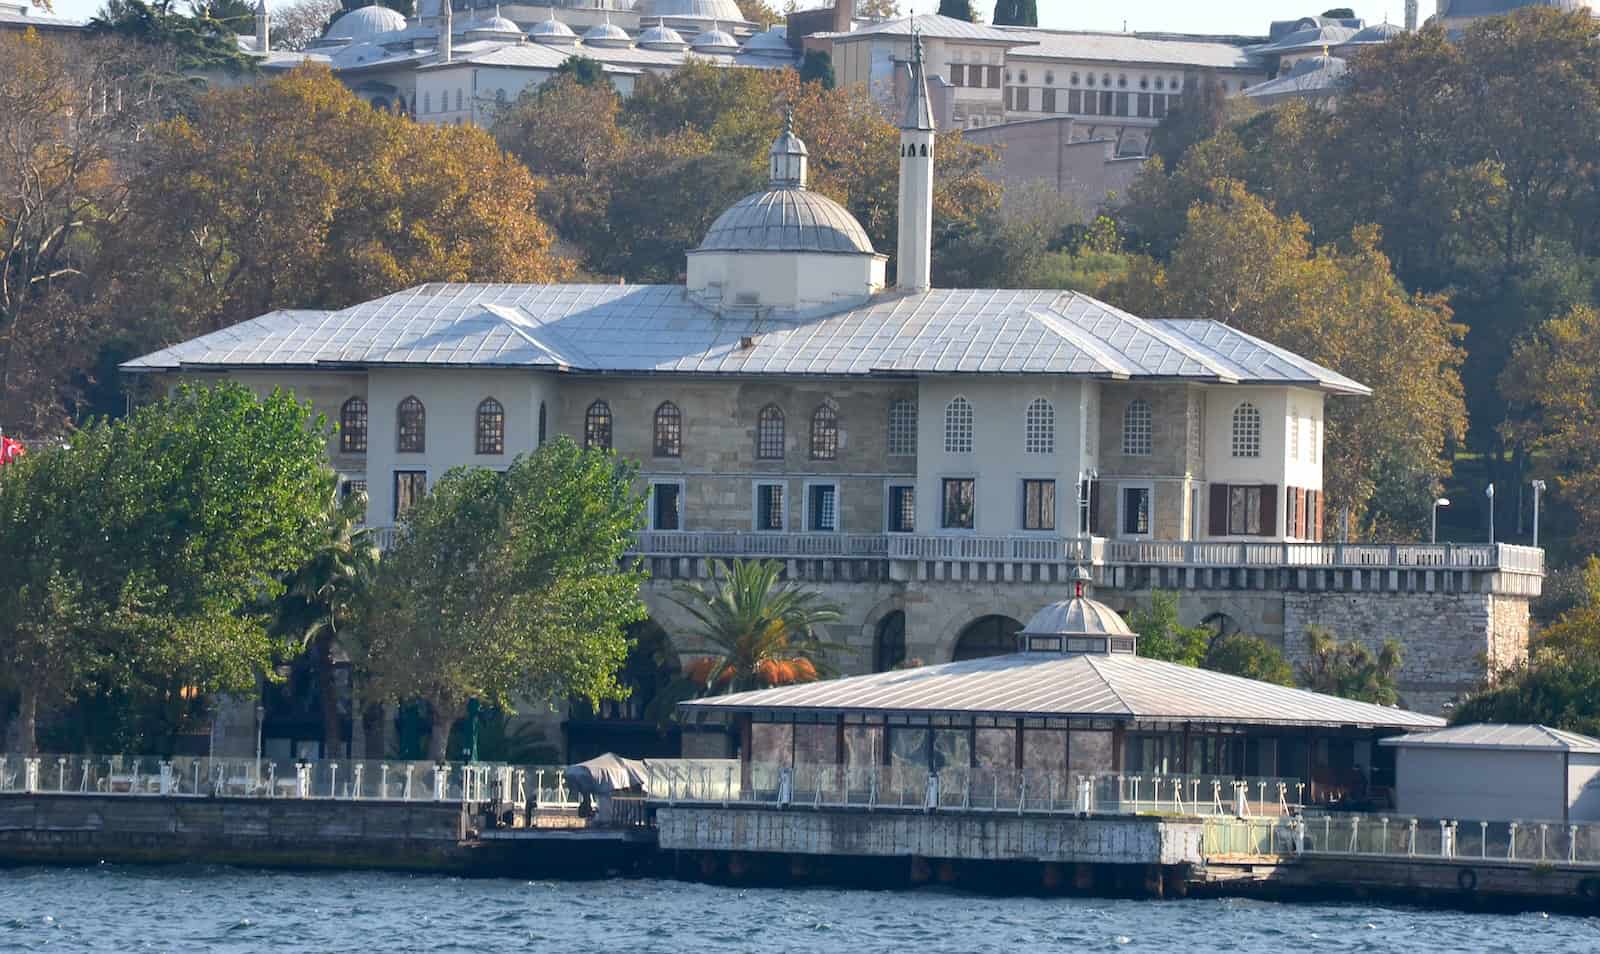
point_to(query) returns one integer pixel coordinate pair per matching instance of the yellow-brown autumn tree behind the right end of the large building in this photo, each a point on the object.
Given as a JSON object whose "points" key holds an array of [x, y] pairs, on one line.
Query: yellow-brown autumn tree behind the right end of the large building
{"points": [[1342, 307]]}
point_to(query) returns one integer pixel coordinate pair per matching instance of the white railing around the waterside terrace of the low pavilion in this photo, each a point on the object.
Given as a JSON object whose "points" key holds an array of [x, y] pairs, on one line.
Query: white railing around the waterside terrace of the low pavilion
{"points": [[975, 790]]}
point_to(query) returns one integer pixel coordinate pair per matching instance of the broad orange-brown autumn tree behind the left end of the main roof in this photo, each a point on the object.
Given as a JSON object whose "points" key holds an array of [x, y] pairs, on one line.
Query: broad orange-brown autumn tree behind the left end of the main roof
{"points": [[298, 194]]}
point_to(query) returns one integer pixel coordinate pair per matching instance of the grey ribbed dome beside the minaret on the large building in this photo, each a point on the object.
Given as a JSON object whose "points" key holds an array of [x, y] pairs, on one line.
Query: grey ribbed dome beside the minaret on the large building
{"points": [[788, 220]]}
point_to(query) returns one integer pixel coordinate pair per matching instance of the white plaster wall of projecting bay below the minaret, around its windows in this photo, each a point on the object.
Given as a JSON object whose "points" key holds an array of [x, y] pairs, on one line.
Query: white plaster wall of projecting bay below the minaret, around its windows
{"points": [[999, 460]]}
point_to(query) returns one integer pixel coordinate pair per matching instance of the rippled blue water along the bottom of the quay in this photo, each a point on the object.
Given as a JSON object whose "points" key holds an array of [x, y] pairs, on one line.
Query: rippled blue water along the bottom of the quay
{"points": [[226, 910]]}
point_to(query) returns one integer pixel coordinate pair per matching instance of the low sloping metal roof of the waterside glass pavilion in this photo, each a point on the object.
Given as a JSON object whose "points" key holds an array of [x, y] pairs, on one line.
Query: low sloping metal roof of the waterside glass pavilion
{"points": [[1086, 686]]}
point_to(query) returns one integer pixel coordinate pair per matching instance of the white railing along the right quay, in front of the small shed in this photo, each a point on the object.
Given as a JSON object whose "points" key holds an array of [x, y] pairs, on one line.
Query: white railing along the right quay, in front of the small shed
{"points": [[1399, 836]]}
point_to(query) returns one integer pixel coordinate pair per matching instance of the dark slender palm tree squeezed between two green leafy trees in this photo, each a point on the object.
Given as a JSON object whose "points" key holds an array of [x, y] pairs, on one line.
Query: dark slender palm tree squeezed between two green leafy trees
{"points": [[326, 599]]}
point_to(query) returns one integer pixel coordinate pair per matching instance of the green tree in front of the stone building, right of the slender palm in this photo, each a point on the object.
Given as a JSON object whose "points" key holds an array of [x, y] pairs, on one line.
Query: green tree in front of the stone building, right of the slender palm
{"points": [[505, 588]]}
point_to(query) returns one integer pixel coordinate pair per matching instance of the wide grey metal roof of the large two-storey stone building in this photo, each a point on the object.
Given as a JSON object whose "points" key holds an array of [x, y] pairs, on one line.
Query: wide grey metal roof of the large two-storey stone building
{"points": [[663, 329]]}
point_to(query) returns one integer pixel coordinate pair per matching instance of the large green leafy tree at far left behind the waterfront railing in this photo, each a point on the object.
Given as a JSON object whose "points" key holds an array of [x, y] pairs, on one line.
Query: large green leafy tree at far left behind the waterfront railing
{"points": [[142, 548]]}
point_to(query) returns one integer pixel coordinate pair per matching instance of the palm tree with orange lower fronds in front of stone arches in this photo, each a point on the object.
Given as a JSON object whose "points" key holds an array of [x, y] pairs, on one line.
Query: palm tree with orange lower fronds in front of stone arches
{"points": [[759, 628]]}
